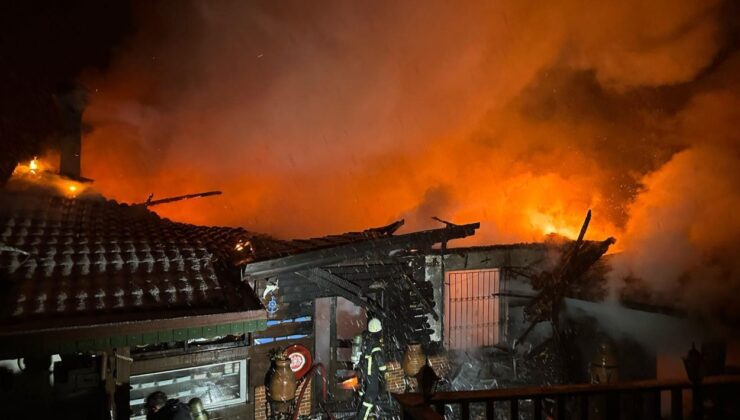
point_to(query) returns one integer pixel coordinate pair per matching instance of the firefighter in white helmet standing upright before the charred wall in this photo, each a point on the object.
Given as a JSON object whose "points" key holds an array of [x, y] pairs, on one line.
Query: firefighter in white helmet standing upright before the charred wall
{"points": [[372, 369]]}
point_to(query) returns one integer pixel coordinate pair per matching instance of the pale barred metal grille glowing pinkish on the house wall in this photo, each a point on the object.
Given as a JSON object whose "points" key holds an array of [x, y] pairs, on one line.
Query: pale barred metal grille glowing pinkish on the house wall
{"points": [[471, 311]]}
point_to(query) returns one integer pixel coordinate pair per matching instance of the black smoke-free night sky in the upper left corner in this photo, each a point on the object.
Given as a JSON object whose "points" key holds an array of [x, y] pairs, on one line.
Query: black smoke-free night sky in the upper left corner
{"points": [[43, 47]]}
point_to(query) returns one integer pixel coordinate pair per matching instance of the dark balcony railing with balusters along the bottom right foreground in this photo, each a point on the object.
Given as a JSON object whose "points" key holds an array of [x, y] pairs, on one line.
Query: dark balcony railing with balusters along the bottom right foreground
{"points": [[717, 397]]}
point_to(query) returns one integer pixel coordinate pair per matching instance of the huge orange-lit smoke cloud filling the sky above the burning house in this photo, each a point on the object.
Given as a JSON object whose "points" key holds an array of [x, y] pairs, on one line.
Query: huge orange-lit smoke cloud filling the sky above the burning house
{"points": [[519, 114]]}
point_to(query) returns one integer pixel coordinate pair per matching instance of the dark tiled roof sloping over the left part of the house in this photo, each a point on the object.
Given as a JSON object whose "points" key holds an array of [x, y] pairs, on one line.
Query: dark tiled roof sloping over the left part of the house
{"points": [[63, 260]]}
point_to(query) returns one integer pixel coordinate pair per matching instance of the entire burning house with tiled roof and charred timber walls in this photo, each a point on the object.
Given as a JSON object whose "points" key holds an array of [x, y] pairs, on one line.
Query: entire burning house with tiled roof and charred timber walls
{"points": [[106, 303]]}
